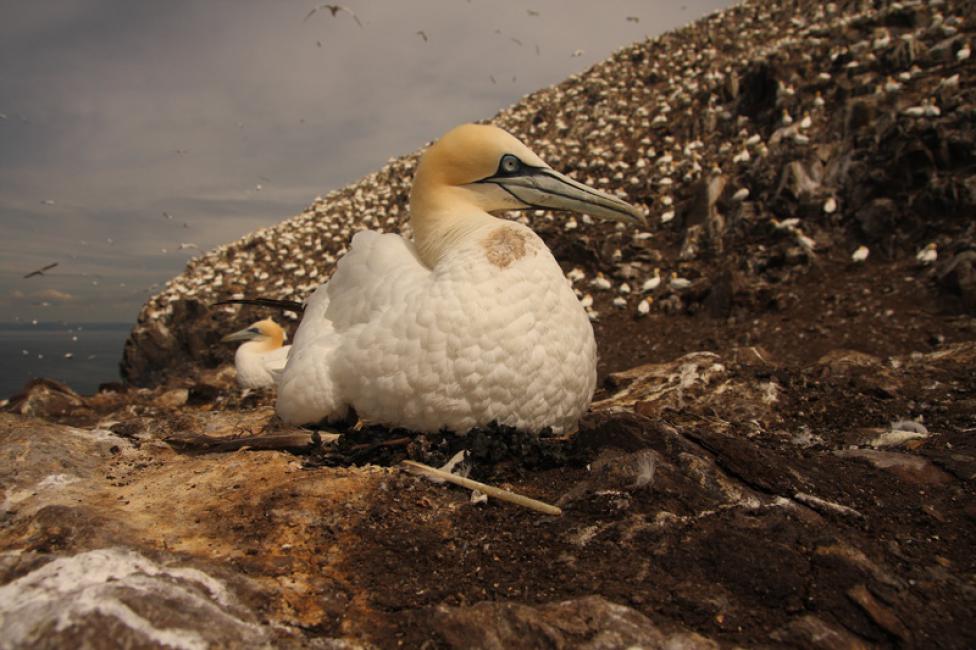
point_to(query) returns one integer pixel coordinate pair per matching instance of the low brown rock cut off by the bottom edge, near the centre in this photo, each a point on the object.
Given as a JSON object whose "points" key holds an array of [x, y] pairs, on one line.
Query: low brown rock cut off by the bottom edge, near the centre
{"points": [[592, 623]]}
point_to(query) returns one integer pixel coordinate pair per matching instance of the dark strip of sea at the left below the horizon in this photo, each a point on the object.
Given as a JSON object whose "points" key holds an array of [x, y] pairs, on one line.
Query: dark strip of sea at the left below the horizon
{"points": [[94, 357]]}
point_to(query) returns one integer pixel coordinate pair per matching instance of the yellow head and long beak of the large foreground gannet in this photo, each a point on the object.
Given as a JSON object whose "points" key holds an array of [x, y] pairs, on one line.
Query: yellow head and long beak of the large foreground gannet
{"points": [[487, 168]]}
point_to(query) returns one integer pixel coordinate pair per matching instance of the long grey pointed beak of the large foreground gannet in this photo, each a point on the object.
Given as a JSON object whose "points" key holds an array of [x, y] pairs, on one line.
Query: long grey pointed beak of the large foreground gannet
{"points": [[543, 187]]}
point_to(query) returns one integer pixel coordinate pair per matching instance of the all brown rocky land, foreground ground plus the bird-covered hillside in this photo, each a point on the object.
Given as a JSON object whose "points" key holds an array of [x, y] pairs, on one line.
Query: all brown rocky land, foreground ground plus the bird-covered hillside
{"points": [[781, 453]]}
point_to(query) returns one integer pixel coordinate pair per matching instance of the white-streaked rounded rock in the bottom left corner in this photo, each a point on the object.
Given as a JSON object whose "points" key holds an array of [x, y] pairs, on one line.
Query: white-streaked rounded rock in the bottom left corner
{"points": [[82, 600]]}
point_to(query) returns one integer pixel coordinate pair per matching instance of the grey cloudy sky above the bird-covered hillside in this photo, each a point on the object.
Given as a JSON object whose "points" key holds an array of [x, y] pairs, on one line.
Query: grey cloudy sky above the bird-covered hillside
{"points": [[130, 128]]}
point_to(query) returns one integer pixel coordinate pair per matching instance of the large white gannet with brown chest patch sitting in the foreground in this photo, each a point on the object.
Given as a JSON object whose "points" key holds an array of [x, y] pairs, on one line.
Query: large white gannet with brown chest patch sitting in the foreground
{"points": [[473, 322]]}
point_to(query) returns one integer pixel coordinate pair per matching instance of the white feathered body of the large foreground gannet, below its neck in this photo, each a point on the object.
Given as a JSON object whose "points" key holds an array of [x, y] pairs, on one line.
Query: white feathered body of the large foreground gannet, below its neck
{"points": [[492, 333]]}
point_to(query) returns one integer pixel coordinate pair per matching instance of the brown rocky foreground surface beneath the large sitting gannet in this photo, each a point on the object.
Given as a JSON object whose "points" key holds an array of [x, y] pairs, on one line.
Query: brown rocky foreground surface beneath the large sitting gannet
{"points": [[727, 513]]}
